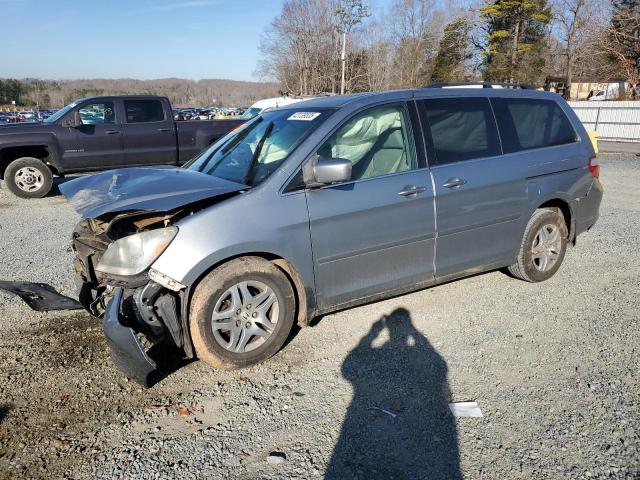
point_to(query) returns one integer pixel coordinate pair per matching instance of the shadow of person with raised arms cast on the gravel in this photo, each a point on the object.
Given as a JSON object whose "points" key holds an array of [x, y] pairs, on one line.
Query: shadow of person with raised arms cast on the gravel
{"points": [[404, 375]]}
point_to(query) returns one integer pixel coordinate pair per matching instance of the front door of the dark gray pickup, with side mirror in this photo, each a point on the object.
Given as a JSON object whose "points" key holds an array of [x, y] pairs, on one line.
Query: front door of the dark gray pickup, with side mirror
{"points": [[97, 143]]}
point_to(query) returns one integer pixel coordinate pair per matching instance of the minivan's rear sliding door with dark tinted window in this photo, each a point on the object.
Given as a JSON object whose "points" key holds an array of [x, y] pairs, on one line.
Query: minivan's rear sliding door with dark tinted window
{"points": [[481, 195]]}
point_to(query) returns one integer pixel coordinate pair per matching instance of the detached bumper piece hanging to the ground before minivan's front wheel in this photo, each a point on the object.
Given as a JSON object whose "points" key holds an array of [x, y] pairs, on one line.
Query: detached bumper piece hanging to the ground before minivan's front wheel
{"points": [[126, 350]]}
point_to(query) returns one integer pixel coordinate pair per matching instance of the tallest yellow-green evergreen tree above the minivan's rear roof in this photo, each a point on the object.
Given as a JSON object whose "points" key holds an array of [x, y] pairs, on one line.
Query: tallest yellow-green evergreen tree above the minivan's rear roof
{"points": [[516, 33]]}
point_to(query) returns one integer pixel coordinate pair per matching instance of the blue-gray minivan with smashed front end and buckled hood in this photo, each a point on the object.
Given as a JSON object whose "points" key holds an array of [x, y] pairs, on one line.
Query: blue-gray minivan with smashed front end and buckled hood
{"points": [[326, 204]]}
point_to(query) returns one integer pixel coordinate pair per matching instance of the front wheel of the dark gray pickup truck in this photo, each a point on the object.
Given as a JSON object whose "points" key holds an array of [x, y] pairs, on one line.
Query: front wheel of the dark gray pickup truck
{"points": [[28, 177]]}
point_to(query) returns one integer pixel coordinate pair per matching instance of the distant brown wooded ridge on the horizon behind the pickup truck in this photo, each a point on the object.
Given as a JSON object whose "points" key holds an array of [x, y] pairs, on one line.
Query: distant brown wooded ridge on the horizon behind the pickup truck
{"points": [[181, 92]]}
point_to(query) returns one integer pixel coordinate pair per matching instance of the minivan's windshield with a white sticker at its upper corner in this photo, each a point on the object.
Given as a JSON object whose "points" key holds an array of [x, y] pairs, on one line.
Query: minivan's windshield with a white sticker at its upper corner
{"points": [[253, 152]]}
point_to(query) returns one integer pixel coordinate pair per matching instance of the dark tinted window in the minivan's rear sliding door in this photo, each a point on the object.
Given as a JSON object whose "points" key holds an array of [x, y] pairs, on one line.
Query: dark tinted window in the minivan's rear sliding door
{"points": [[461, 129]]}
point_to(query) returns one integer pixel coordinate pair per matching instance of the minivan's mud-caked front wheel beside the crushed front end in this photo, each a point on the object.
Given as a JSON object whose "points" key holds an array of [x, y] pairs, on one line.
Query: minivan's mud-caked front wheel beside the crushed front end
{"points": [[215, 345]]}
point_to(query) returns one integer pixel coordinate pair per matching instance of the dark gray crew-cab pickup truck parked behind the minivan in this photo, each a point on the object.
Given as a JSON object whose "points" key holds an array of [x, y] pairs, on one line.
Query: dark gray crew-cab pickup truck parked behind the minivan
{"points": [[100, 133]]}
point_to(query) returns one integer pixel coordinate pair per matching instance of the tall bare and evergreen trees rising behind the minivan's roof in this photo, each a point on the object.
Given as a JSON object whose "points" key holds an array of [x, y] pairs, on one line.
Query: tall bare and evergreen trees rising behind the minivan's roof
{"points": [[416, 42]]}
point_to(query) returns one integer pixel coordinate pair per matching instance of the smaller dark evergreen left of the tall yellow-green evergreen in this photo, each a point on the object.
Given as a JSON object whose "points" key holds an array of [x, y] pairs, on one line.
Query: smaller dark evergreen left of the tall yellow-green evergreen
{"points": [[453, 52]]}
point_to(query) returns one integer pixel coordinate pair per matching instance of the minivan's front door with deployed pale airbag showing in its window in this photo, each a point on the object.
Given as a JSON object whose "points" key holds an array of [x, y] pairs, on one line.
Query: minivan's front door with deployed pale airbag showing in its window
{"points": [[375, 233]]}
